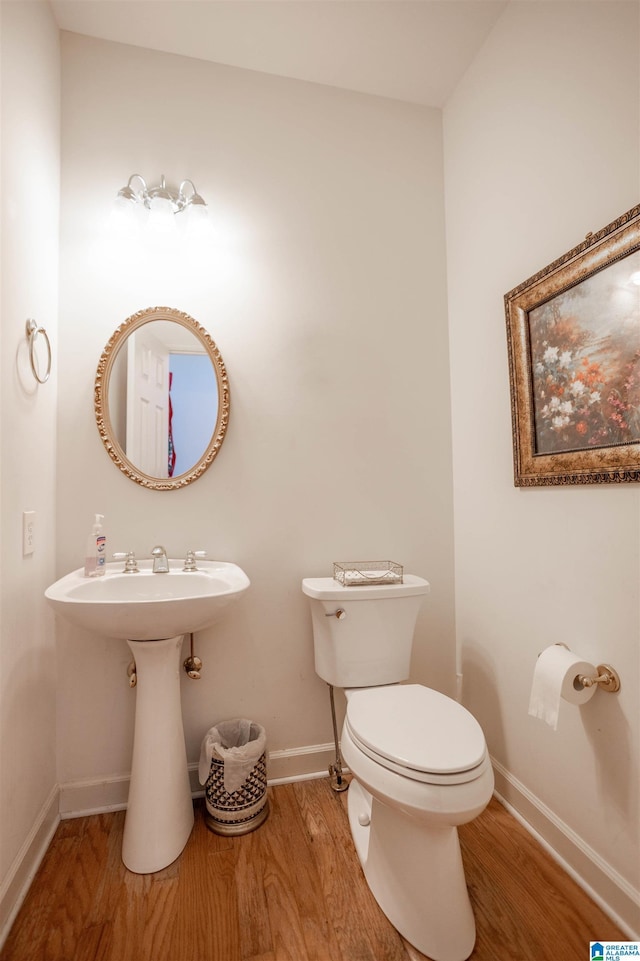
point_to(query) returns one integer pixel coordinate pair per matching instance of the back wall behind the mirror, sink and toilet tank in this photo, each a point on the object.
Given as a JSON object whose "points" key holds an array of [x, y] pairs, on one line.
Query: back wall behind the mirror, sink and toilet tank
{"points": [[325, 292]]}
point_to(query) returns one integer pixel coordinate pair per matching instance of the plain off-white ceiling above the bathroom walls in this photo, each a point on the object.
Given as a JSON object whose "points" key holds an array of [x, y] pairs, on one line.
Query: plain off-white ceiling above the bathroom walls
{"points": [[413, 50]]}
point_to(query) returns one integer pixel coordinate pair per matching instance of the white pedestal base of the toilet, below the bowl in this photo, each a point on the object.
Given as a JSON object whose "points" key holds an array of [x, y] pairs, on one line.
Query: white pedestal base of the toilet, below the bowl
{"points": [[415, 872]]}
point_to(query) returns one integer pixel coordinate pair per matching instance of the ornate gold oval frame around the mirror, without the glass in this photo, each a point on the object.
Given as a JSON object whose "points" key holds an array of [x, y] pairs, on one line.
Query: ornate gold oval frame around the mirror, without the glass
{"points": [[101, 398]]}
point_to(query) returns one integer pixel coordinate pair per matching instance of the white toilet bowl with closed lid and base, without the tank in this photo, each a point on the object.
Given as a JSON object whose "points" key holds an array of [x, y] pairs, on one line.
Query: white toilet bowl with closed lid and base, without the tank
{"points": [[421, 768]]}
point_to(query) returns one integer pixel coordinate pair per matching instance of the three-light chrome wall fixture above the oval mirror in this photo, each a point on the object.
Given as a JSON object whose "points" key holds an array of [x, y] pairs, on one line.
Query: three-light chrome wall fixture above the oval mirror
{"points": [[159, 205]]}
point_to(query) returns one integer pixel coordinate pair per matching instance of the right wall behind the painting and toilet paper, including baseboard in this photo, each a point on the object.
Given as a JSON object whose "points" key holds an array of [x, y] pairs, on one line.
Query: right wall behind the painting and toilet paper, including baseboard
{"points": [[541, 146]]}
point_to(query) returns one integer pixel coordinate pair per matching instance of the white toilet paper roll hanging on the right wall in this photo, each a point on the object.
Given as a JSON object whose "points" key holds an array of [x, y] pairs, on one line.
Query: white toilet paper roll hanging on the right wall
{"points": [[555, 678]]}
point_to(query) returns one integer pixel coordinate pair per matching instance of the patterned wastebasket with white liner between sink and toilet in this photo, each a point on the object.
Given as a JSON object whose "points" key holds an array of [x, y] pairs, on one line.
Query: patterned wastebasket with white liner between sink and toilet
{"points": [[233, 766]]}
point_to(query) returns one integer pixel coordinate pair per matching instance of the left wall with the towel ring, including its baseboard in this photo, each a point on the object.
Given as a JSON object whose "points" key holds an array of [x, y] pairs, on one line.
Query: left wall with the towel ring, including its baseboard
{"points": [[29, 263]]}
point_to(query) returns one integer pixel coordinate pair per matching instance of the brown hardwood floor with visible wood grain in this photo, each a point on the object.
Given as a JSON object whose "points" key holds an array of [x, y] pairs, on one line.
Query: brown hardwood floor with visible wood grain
{"points": [[290, 891]]}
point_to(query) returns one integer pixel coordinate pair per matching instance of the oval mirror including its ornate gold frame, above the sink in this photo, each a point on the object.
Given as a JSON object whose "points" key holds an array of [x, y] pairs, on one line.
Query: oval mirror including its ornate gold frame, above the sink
{"points": [[162, 398]]}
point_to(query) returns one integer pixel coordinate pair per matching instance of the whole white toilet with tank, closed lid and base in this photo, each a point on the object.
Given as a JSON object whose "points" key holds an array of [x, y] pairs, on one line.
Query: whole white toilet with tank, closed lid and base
{"points": [[419, 761]]}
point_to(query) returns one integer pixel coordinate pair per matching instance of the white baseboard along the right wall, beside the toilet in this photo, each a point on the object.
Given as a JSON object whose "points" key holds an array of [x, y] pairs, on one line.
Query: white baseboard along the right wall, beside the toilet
{"points": [[613, 893]]}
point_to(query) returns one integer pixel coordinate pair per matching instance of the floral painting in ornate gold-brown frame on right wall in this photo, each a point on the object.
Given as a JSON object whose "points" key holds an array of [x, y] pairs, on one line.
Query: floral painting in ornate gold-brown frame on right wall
{"points": [[573, 333]]}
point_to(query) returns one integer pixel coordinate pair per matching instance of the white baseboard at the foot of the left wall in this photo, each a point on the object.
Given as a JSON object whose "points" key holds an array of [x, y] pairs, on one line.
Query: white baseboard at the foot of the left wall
{"points": [[16, 884]]}
